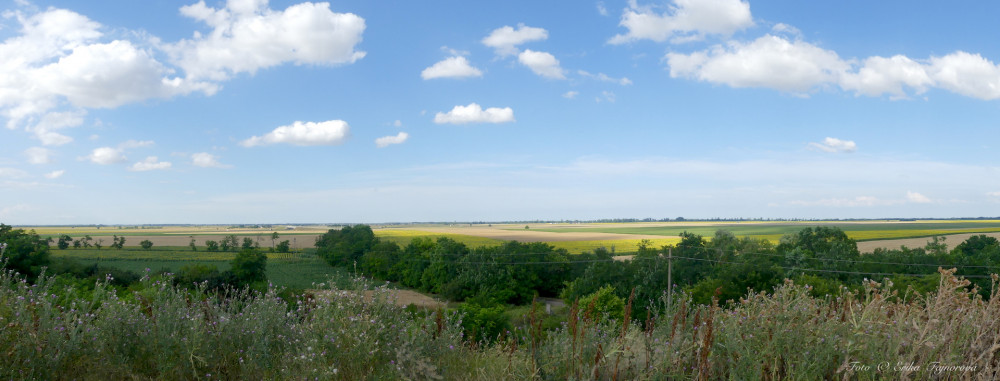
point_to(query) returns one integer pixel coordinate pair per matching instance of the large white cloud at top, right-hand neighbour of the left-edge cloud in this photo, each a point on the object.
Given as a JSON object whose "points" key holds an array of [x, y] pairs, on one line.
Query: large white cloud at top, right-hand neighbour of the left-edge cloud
{"points": [[247, 36]]}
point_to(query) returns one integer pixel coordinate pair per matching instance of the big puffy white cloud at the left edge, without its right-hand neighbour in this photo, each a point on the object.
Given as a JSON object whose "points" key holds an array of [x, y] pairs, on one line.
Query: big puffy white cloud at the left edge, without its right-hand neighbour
{"points": [[56, 66]]}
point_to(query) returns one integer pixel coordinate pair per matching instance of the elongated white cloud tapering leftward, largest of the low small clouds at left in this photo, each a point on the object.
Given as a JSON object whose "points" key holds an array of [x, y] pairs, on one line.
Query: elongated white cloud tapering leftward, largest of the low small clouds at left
{"points": [[330, 132]]}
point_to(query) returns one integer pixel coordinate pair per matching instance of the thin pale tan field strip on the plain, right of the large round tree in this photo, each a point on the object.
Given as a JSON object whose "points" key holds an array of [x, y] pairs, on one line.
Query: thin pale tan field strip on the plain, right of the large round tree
{"points": [[527, 235]]}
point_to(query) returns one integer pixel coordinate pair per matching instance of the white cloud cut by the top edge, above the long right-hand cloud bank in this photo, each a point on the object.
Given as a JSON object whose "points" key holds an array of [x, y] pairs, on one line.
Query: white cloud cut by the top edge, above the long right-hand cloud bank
{"points": [[684, 20]]}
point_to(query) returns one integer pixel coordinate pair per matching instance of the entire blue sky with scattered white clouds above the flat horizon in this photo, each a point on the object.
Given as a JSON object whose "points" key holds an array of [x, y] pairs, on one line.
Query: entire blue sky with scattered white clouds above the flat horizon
{"points": [[123, 112]]}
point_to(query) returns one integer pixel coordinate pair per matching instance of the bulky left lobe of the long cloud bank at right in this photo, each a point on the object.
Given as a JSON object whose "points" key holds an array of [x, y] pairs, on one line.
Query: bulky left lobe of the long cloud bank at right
{"points": [[770, 62]]}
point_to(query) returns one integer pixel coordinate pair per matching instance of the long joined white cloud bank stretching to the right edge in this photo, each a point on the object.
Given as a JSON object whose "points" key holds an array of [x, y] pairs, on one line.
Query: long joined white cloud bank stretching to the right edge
{"points": [[798, 67]]}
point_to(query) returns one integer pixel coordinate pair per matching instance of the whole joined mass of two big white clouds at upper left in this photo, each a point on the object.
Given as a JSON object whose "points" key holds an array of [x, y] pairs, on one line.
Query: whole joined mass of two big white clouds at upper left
{"points": [[59, 63]]}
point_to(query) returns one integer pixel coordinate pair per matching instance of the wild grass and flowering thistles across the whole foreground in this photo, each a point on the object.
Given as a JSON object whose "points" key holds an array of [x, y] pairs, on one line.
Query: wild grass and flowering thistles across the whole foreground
{"points": [[161, 331]]}
